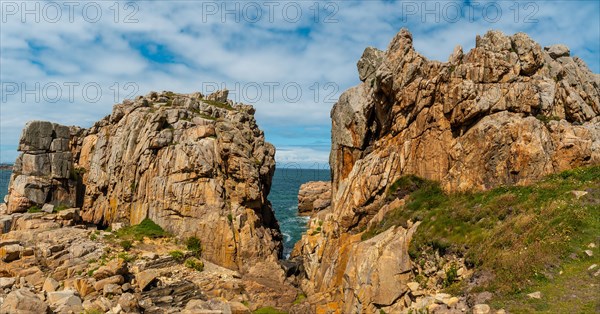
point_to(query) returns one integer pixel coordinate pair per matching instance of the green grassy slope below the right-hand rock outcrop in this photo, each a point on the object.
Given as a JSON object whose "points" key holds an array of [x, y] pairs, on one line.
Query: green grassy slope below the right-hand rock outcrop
{"points": [[518, 233]]}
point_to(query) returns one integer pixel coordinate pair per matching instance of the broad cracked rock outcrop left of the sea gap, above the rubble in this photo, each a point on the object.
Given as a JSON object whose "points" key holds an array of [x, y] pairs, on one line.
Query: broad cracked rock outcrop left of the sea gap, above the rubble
{"points": [[196, 166]]}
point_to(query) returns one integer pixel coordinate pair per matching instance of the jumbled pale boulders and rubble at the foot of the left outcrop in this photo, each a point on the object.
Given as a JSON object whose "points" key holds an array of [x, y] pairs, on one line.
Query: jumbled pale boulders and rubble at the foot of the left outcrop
{"points": [[74, 268]]}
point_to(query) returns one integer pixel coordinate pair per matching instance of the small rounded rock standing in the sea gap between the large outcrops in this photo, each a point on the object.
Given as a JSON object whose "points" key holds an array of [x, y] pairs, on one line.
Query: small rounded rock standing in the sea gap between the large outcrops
{"points": [[314, 196]]}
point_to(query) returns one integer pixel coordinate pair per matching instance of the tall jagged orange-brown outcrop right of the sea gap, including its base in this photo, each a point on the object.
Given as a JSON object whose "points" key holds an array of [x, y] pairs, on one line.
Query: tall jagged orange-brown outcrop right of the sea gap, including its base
{"points": [[507, 112]]}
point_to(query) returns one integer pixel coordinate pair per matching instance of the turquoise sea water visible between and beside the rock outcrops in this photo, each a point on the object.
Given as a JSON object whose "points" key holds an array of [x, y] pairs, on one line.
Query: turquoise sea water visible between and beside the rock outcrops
{"points": [[283, 196]]}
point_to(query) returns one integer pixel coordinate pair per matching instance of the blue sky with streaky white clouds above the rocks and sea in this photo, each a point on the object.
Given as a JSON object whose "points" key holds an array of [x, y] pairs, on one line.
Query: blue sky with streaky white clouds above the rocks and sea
{"points": [[291, 60]]}
